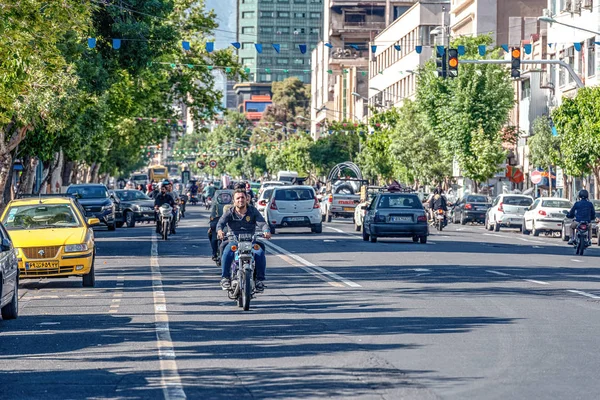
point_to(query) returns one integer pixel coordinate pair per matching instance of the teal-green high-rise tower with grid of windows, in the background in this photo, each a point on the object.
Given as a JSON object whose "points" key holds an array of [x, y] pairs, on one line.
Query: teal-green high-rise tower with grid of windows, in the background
{"points": [[288, 23]]}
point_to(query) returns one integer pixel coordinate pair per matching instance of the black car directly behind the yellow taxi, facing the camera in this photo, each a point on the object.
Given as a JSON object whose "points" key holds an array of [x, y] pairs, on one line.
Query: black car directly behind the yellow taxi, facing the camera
{"points": [[96, 202]]}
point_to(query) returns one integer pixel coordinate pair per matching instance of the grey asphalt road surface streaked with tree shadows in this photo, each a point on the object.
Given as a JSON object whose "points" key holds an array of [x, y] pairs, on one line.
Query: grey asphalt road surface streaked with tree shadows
{"points": [[470, 315]]}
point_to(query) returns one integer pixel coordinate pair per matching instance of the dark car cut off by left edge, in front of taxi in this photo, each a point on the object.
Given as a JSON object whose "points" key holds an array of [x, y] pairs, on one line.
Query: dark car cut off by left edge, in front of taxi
{"points": [[9, 277]]}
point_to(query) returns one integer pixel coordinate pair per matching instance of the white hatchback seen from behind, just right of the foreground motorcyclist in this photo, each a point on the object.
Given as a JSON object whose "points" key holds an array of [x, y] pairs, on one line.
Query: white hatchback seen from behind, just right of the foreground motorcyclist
{"points": [[293, 206]]}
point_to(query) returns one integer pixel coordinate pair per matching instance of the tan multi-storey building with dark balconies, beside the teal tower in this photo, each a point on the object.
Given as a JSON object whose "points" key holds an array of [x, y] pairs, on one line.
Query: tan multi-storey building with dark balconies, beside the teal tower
{"points": [[340, 62]]}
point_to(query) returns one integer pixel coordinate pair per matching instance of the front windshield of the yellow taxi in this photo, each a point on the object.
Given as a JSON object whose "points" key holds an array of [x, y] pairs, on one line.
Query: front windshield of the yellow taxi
{"points": [[40, 216]]}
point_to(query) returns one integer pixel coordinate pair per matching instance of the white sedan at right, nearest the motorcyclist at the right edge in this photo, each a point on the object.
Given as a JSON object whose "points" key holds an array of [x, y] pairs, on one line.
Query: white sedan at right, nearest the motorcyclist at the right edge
{"points": [[546, 214]]}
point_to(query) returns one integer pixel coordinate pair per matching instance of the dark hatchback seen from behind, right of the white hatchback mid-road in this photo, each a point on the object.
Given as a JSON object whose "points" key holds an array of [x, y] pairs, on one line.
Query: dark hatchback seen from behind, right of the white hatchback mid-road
{"points": [[395, 215]]}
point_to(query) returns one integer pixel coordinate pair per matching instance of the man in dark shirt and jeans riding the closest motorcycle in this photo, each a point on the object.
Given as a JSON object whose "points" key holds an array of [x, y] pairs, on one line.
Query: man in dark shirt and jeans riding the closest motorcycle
{"points": [[242, 218]]}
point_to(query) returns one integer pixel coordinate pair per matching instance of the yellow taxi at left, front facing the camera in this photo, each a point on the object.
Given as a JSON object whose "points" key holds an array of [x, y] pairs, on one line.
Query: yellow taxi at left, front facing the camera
{"points": [[53, 238]]}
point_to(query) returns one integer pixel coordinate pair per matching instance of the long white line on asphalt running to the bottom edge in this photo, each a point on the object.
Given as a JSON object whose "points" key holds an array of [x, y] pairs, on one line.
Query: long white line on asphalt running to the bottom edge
{"points": [[170, 380]]}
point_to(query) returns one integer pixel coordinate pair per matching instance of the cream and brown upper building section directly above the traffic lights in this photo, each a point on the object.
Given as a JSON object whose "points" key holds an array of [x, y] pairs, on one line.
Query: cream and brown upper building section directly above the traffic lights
{"points": [[477, 17]]}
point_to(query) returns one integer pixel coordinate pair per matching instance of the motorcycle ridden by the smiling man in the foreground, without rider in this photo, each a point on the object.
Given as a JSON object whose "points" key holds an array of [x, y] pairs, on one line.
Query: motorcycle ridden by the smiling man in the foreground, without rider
{"points": [[243, 271]]}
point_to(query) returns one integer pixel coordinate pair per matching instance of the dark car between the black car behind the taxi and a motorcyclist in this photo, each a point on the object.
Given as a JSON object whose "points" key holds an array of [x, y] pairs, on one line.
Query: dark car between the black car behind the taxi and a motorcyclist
{"points": [[132, 206]]}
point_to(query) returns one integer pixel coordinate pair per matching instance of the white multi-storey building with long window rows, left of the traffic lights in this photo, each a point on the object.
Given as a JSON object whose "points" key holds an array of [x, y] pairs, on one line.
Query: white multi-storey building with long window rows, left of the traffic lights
{"points": [[391, 74]]}
